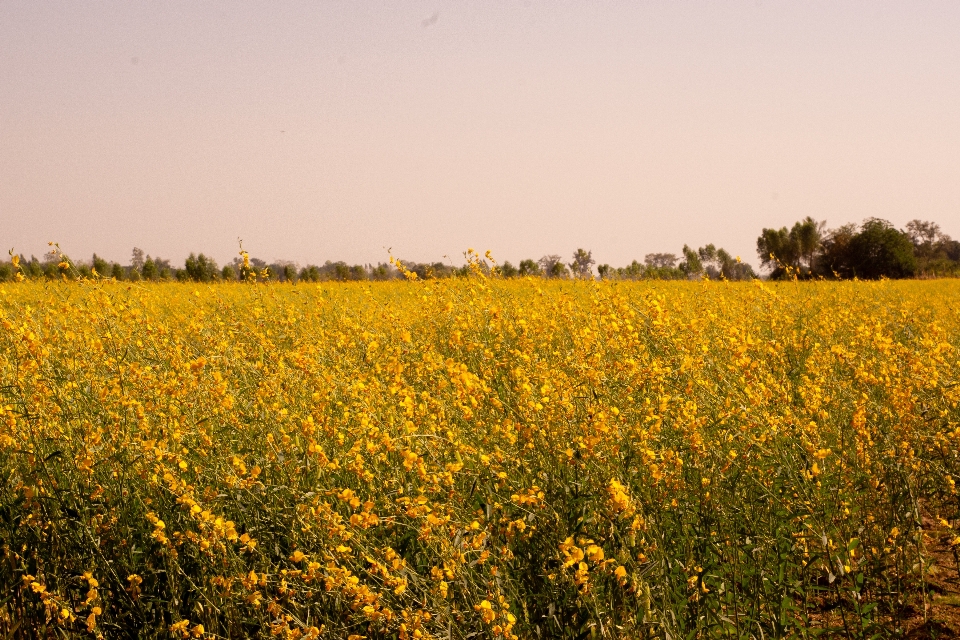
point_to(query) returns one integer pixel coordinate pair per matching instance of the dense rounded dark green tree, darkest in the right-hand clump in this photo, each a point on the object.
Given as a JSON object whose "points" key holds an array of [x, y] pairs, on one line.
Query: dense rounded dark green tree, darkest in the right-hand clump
{"points": [[880, 250]]}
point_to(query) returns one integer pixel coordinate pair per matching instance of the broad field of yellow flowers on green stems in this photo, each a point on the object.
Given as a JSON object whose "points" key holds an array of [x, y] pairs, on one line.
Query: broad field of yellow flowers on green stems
{"points": [[477, 458]]}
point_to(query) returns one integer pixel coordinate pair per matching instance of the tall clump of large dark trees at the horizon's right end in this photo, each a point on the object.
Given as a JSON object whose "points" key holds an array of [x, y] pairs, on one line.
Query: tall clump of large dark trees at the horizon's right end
{"points": [[871, 250]]}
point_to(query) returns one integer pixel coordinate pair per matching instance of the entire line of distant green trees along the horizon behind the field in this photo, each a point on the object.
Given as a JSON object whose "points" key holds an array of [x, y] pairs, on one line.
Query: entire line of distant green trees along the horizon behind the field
{"points": [[873, 249]]}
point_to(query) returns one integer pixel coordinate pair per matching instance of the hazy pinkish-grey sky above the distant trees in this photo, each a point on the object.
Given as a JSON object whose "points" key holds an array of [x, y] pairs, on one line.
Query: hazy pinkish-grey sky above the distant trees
{"points": [[319, 131]]}
